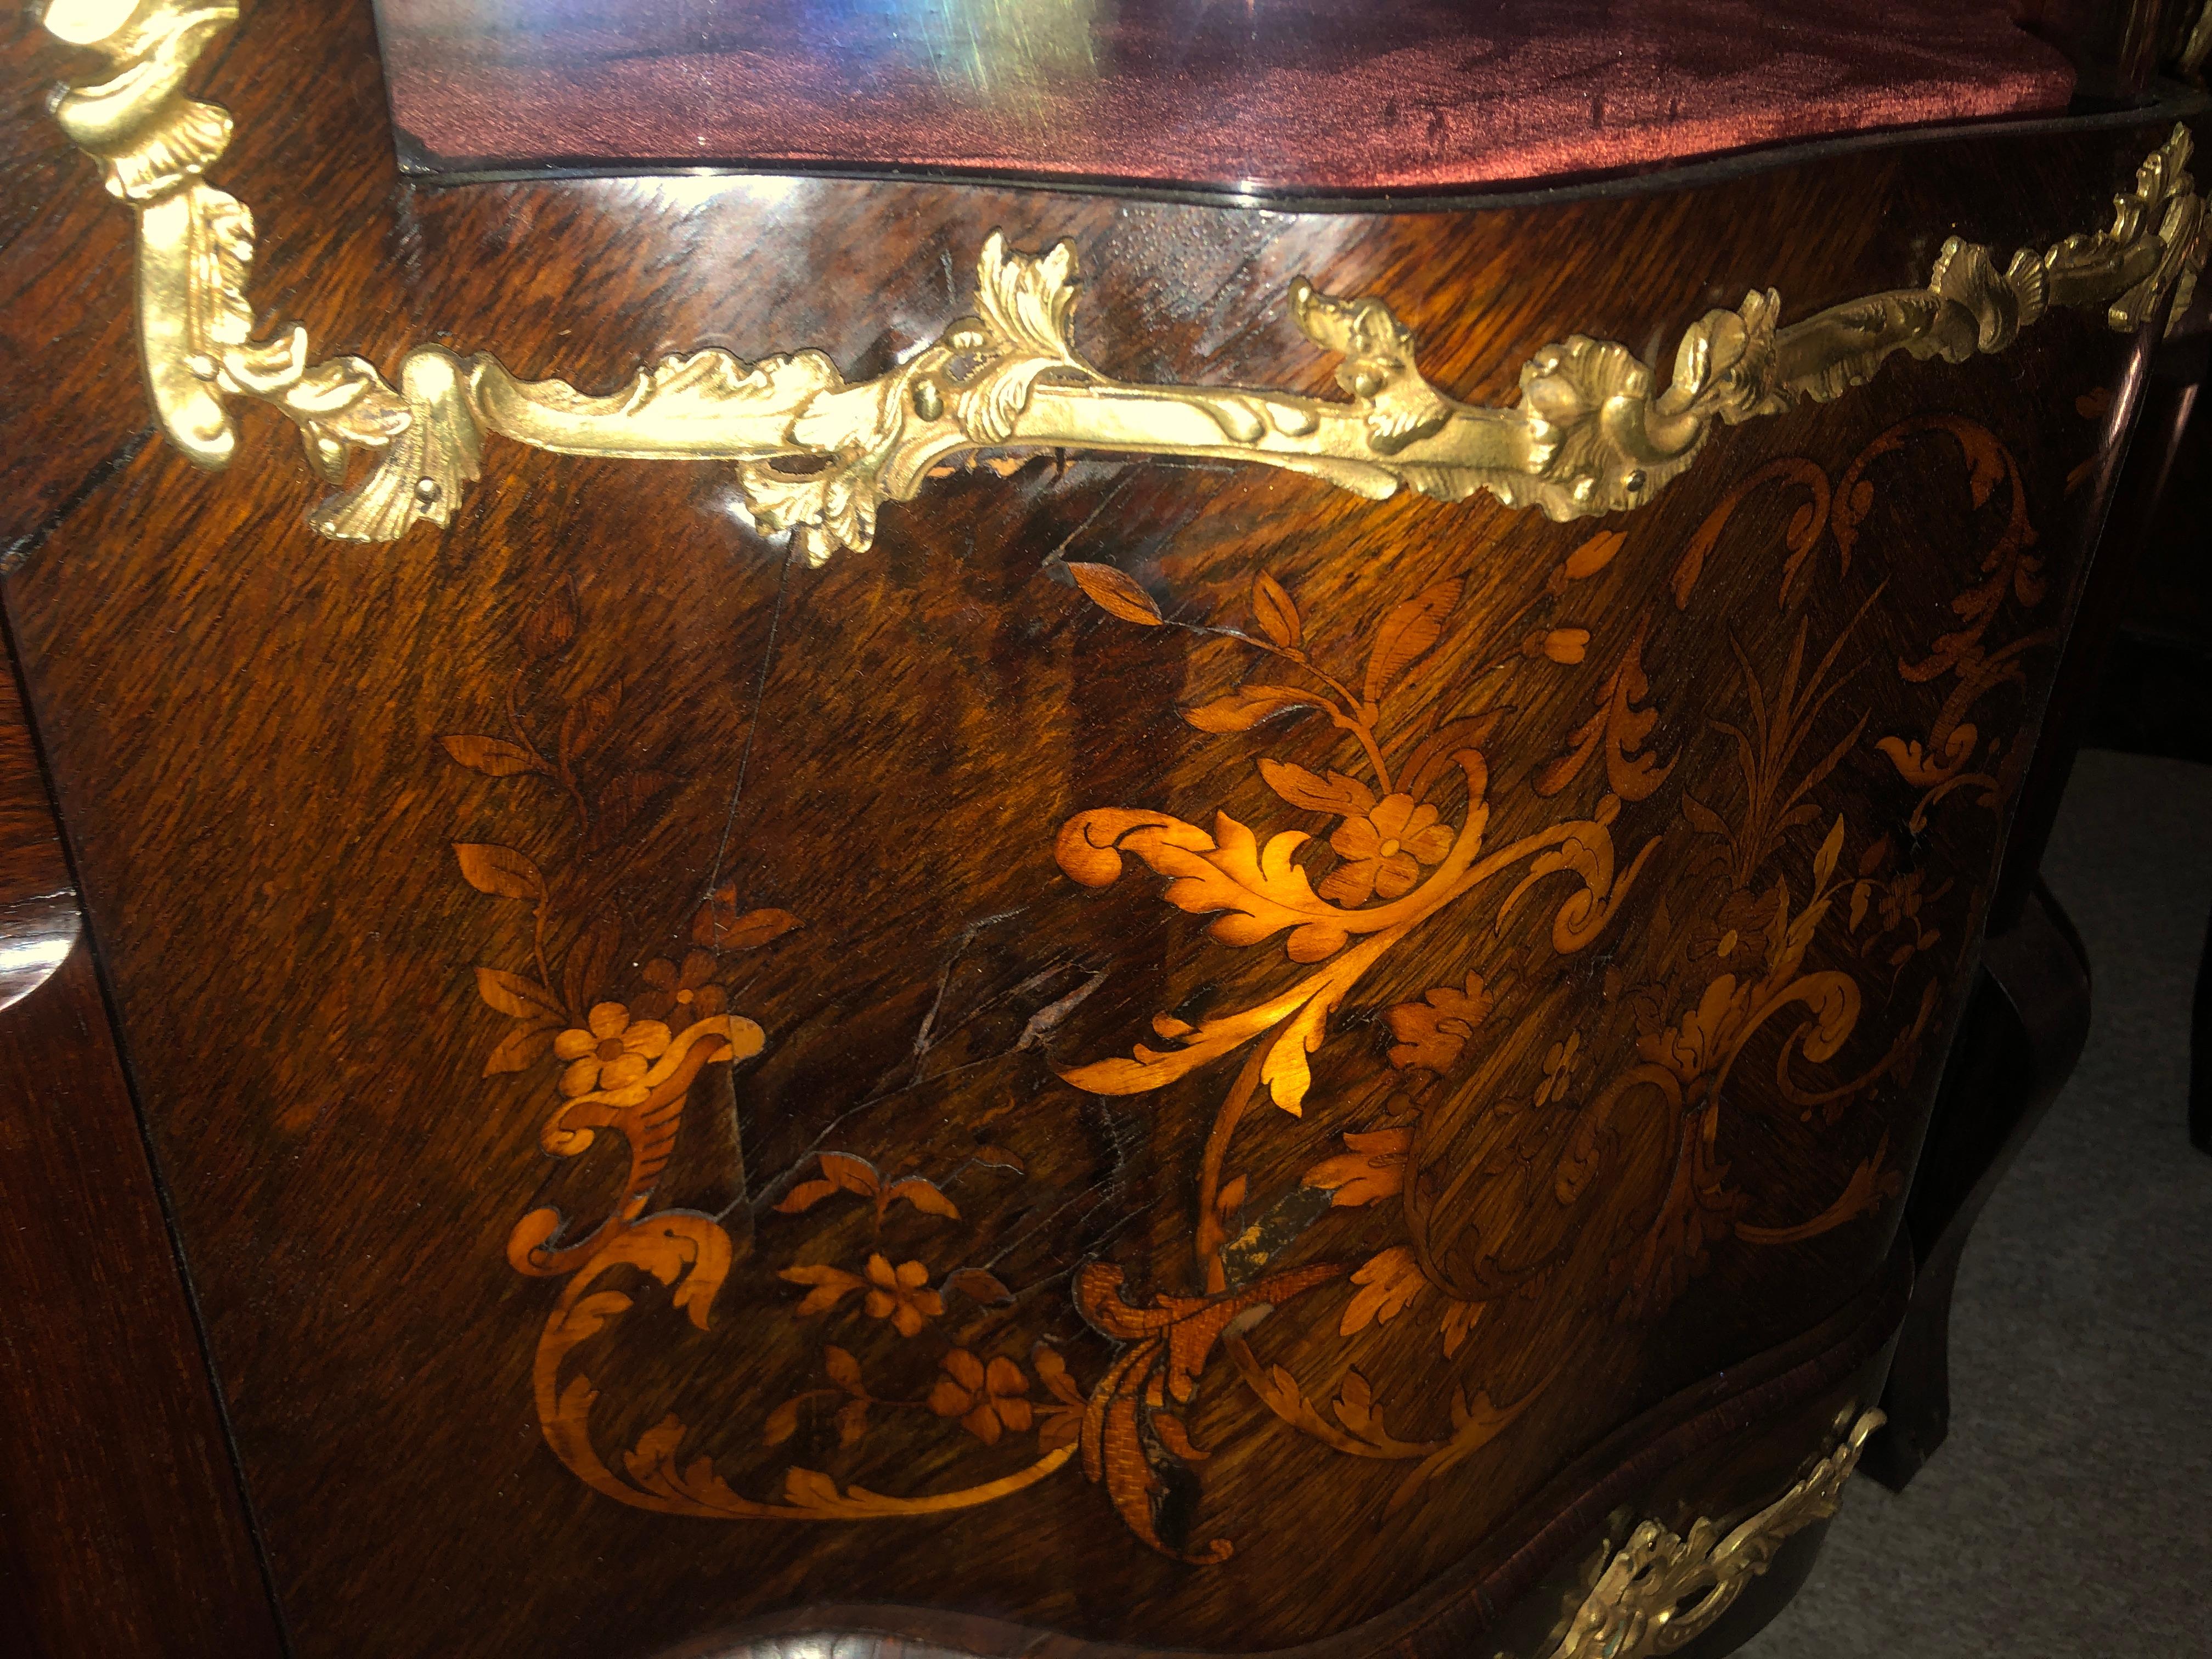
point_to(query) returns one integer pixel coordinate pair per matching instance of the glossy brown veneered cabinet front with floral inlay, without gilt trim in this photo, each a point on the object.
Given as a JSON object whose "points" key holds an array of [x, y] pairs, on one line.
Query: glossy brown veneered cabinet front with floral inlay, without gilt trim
{"points": [[643, 1039]]}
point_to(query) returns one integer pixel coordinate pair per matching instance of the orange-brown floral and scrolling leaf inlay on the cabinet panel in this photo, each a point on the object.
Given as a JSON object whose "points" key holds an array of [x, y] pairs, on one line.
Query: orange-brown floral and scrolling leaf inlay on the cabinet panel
{"points": [[1530, 1131]]}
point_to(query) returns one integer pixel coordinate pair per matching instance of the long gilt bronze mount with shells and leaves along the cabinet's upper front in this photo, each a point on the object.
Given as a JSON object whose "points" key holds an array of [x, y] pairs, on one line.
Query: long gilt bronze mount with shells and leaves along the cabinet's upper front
{"points": [[1594, 430]]}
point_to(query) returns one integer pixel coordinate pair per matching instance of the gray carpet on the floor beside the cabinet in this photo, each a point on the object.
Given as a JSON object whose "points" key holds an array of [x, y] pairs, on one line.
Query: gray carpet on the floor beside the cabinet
{"points": [[2072, 1507]]}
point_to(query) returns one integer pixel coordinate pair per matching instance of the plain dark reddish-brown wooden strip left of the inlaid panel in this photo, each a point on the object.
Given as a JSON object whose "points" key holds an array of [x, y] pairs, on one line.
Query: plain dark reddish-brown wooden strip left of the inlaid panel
{"points": [[123, 1527]]}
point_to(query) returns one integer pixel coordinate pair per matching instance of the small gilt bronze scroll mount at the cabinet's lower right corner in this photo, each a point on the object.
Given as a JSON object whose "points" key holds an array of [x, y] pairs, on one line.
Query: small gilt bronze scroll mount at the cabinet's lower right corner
{"points": [[1662, 1589]]}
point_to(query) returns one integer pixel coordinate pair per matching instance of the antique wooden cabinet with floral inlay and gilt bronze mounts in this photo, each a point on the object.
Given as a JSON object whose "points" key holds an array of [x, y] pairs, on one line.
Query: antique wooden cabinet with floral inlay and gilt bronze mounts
{"points": [[1123, 919]]}
